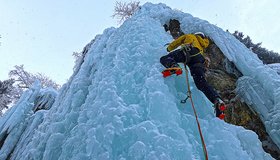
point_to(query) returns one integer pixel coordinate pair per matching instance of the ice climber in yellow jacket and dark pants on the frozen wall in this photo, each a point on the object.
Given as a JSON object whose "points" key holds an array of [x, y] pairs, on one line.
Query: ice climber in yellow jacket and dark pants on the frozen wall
{"points": [[192, 53]]}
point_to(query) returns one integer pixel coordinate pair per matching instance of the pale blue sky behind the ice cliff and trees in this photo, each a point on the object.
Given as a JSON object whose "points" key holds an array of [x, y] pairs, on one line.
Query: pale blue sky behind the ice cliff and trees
{"points": [[42, 35]]}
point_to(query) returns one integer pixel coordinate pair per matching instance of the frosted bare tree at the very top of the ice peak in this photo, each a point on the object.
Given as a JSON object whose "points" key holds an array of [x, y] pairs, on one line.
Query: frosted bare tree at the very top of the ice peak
{"points": [[125, 10]]}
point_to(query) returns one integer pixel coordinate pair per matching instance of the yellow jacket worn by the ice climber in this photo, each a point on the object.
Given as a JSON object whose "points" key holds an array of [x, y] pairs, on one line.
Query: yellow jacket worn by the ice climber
{"points": [[189, 39]]}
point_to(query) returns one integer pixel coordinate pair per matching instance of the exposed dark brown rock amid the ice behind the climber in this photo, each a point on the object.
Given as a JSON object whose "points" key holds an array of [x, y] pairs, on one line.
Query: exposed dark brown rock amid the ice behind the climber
{"points": [[223, 75]]}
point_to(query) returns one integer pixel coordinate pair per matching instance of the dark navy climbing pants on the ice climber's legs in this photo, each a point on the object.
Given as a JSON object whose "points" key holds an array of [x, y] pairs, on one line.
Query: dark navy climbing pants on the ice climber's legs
{"points": [[197, 70]]}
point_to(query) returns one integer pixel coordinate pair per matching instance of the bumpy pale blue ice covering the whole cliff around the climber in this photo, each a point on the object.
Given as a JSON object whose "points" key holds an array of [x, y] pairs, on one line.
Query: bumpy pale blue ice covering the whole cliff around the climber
{"points": [[116, 105]]}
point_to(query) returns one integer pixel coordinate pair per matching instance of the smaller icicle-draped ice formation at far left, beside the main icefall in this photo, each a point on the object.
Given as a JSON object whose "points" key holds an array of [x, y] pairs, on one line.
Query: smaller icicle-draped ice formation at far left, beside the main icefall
{"points": [[21, 119]]}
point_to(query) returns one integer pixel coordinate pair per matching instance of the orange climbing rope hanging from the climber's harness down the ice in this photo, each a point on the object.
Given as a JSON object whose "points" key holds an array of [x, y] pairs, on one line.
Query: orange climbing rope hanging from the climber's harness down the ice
{"points": [[189, 95]]}
